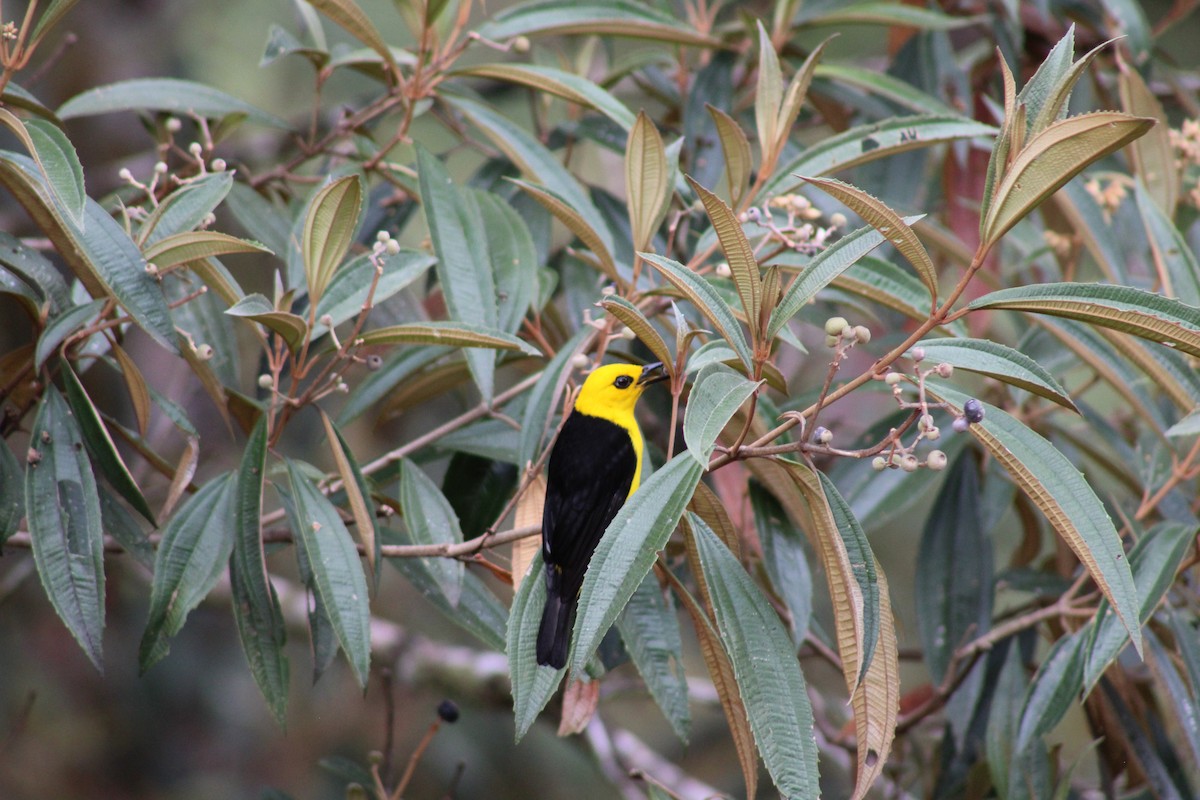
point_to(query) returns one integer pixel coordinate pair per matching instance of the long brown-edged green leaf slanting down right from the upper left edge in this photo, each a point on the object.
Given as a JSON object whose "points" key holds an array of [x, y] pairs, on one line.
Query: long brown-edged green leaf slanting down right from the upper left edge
{"points": [[99, 251]]}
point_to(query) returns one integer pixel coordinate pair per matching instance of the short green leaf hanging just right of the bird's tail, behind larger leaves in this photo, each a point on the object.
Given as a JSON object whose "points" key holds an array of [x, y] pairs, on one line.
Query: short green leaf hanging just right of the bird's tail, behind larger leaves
{"points": [[651, 631]]}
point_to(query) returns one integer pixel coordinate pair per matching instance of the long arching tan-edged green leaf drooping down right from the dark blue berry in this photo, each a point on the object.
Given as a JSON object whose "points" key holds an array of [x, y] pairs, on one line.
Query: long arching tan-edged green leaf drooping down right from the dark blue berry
{"points": [[1066, 500]]}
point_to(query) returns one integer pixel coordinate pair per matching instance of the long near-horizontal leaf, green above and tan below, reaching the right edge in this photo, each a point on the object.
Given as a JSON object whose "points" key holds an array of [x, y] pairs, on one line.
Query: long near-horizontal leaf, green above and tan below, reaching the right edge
{"points": [[1121, 309]]}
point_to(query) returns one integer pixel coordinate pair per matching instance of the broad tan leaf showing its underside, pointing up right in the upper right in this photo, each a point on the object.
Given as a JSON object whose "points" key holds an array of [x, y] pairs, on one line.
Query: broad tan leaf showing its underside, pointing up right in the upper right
{"points": [[1053, 158]]}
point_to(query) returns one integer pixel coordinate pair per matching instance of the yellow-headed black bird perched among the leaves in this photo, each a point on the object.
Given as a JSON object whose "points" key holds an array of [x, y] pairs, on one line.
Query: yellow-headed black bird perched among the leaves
{"points": [[595, 467]]}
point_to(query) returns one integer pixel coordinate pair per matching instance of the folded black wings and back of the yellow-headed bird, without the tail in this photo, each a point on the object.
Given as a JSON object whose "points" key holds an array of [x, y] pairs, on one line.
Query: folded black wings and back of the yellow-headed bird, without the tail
{"points": [[590, 476]]}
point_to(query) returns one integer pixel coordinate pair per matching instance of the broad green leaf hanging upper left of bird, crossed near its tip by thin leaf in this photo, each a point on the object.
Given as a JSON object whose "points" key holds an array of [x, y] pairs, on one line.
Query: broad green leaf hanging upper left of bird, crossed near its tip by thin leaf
{"points": [[457, 228]]}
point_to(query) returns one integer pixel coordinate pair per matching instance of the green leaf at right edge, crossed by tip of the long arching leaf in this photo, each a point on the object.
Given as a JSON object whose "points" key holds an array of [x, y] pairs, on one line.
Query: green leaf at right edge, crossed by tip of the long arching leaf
{"points": [[1155, 561]]}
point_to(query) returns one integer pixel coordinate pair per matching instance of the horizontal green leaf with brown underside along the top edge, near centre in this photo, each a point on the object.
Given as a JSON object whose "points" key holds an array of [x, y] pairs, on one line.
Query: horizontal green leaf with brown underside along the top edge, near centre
{"points": [[592, 19]]}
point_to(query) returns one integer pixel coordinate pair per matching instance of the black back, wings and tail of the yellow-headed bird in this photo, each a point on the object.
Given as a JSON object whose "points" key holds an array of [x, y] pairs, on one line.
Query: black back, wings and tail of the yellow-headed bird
{"points": [[590, 476]]}
